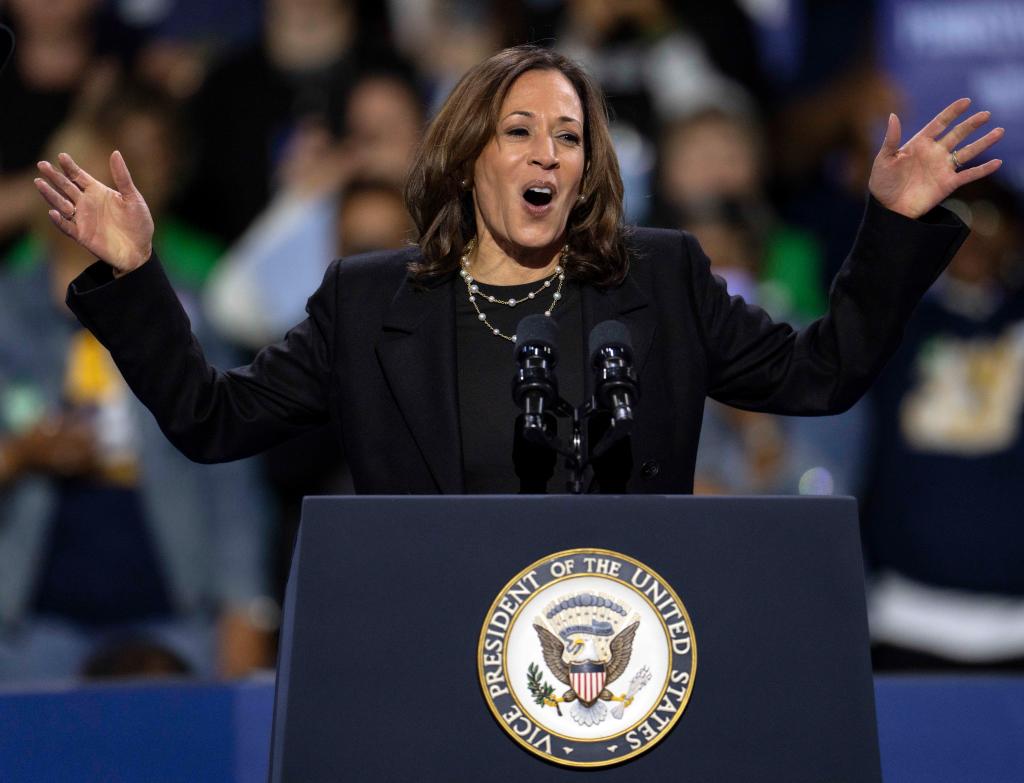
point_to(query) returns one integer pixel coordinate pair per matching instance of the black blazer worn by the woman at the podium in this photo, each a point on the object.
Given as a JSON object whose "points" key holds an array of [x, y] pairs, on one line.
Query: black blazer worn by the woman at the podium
{"points": [[376, 357]]}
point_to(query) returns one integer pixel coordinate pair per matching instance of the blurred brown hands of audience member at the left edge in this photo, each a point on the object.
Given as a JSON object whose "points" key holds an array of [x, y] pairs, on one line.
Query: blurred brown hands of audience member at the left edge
{"points": [[61, 446]]}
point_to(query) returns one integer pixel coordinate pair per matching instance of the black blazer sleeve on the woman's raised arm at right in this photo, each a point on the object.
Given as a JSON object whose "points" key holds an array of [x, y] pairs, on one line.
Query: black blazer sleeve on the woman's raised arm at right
{"points": [[757, 365]]}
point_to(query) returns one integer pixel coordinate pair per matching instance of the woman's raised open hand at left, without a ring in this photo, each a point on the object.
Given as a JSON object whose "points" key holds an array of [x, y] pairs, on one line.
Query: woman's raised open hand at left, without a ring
{"points": [[114, 226]]}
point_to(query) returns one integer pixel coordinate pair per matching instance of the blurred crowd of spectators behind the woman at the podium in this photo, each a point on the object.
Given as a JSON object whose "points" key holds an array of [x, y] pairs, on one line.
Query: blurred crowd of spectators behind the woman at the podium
{"points": [[271, 137]]}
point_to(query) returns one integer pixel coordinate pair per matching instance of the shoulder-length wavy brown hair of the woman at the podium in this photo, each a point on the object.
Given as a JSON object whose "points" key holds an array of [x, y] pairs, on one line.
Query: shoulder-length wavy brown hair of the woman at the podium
{"points": [[443, 208]]}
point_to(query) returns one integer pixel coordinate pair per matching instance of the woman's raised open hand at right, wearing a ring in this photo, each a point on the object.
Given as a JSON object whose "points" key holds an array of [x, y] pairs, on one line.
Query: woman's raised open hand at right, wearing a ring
{"points": [[916, 178]]}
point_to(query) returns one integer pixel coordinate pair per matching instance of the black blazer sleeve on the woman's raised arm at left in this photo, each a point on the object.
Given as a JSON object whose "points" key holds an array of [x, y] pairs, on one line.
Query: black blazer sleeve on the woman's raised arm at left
{"points": [[209, 415]]}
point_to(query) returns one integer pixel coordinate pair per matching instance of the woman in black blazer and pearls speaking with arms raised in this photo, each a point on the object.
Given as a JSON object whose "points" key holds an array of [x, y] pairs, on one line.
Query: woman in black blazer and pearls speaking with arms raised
{"points": [[518, 187]]}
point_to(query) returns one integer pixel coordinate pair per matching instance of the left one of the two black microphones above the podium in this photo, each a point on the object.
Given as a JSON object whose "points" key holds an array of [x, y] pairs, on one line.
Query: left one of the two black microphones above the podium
{"points": [[535, 388]]}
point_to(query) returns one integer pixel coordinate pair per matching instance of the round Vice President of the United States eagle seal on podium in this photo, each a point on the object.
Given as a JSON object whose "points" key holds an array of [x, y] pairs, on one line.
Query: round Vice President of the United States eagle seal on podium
{"points": [[587, 658]]}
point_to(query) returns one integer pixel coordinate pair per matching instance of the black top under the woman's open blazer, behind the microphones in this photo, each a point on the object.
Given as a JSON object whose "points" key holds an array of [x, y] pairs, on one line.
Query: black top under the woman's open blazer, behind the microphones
{"points": [[487, 367]]}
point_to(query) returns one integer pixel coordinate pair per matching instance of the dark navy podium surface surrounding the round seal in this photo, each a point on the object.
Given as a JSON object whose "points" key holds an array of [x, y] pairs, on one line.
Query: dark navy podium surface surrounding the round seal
{"points": [[388, 599]]}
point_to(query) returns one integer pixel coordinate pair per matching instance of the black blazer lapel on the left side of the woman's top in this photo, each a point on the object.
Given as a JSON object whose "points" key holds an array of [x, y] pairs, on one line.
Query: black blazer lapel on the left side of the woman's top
{"points": [[417, 353]]}
